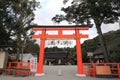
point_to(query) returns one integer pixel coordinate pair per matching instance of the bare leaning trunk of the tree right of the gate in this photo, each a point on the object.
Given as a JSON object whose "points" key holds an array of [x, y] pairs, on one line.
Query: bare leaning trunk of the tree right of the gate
{"points": [[102, 42]]}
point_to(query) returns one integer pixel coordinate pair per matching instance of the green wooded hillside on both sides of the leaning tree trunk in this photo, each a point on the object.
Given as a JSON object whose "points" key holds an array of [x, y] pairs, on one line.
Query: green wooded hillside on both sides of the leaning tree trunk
{"points": [[112, 39]]}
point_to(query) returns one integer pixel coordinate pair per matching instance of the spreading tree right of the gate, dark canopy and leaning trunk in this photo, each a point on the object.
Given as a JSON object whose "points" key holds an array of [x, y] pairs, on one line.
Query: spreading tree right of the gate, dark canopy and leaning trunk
{"points": [[100, 11]]}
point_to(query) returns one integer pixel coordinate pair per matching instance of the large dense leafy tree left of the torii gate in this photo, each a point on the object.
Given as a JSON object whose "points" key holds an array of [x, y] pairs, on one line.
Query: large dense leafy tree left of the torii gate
{"points": [[15, 18]]}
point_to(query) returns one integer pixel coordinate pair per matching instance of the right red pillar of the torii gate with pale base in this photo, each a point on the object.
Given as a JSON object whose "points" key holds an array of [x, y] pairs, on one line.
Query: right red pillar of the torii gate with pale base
{"points": [[79, 55]]}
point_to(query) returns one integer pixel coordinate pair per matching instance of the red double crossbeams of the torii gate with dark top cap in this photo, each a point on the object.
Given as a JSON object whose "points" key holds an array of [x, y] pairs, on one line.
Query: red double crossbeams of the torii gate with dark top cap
{"points": [[43, 35]]}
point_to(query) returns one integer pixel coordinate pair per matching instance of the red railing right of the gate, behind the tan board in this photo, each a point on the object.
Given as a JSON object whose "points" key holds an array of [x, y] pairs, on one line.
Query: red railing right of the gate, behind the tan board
{"points": [[90, 68]]}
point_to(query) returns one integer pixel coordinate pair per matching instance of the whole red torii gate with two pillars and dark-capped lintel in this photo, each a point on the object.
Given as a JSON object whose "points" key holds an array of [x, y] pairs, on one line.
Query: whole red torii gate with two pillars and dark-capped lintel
{"points": [[77, 36]]}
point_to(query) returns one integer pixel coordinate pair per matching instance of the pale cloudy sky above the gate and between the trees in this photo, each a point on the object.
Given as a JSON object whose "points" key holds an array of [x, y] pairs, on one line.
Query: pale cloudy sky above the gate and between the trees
{"points": [[49, 8]]}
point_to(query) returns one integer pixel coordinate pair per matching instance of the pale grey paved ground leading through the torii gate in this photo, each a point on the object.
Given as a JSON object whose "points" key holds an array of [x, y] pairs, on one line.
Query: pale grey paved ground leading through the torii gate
{"points": [[51, 73]]}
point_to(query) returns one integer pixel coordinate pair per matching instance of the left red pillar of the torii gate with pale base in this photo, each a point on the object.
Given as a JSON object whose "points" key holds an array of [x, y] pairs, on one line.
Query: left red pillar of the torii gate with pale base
{"points": [[41, 55]]}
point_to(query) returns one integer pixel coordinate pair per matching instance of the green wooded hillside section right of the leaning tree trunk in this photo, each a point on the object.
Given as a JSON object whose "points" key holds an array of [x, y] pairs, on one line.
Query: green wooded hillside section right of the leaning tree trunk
{"points": [[114, 45]]}
